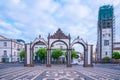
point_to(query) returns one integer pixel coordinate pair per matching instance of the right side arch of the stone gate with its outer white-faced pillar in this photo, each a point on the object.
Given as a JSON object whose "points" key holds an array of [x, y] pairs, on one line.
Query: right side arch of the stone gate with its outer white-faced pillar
{"points": [[87, 51]]}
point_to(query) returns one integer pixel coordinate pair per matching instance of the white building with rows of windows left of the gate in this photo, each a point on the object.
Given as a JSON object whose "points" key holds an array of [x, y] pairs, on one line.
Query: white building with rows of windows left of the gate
{"points": [[10, 49]]}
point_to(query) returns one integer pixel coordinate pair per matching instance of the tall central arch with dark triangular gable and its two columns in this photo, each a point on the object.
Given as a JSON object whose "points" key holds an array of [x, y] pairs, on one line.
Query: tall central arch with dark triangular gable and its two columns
{"points": [[59, 36]]}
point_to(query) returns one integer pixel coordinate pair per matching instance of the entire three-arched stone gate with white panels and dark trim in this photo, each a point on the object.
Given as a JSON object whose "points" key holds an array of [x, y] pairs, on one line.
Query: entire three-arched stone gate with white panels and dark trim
{"points": [[59, 36]]}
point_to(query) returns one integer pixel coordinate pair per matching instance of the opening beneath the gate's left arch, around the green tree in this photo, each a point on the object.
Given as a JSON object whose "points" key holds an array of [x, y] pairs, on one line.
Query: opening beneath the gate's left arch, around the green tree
{"points": [[35, 47]]}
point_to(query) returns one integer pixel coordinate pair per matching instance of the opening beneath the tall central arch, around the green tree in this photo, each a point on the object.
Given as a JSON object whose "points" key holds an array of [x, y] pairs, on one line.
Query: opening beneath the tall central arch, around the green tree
{"points": [[62, 46]]}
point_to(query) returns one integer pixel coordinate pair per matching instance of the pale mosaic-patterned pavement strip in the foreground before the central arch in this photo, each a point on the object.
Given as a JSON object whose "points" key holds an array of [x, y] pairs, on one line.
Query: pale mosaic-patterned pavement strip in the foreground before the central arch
{"points": [[61, 75]]}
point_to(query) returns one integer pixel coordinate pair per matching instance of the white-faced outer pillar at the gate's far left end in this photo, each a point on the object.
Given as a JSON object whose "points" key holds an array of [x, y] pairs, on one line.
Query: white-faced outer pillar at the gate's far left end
{"points": [[28, 56]]}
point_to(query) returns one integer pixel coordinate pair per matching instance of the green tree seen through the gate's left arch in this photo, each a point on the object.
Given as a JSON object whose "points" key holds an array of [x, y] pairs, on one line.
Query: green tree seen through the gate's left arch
{"points": [[41, 53]]}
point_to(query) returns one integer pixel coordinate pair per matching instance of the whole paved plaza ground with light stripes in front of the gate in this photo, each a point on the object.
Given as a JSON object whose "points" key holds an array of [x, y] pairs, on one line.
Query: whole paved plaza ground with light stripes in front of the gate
{"points": [[17, 71]]}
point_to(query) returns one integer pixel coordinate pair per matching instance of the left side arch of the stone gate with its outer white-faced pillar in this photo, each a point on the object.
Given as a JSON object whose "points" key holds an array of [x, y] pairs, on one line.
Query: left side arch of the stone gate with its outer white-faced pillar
{"points": [[29, 48]]}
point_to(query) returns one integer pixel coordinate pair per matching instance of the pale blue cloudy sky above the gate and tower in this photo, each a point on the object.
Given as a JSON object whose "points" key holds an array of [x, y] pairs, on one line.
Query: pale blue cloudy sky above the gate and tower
{"points": [[27, 19]]}
